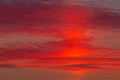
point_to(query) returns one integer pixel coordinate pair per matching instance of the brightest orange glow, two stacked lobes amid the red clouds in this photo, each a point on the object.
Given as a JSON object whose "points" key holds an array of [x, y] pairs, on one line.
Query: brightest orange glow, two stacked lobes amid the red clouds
{"points": [[73, 37]]}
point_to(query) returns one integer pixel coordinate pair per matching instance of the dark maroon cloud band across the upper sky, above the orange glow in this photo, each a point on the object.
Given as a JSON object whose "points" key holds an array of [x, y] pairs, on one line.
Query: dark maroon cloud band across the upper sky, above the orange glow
{"points": [[29, 18]]}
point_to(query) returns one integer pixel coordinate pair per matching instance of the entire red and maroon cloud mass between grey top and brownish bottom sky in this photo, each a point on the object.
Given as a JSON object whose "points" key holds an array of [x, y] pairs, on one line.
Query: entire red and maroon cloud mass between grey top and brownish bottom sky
{"points": [[54, 35]]}
